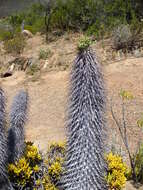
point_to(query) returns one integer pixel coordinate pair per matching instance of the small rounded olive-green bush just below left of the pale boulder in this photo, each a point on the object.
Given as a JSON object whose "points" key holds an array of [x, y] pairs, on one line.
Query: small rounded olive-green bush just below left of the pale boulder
{"points": [[15, 45]]}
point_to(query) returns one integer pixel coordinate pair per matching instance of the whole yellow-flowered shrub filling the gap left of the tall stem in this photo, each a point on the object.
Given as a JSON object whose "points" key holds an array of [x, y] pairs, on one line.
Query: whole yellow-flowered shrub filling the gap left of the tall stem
{"points": [[36, 171]]}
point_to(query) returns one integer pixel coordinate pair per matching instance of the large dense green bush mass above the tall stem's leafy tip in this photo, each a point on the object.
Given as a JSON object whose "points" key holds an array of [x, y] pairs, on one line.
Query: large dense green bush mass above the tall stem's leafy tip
{"points": [[95, 17]]}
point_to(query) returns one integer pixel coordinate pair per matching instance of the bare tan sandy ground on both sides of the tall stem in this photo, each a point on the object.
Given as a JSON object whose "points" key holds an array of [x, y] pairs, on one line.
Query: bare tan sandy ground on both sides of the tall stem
{"points": [[48, 91]]}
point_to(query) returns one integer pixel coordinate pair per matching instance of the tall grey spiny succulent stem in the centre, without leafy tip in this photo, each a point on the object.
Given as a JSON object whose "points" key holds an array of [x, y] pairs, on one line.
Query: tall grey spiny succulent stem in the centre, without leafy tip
{"points": [[85, 166]]}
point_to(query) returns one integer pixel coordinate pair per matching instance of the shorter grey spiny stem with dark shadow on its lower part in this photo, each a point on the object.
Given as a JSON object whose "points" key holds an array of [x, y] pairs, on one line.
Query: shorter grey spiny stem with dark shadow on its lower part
{"points": [[16, 135]]}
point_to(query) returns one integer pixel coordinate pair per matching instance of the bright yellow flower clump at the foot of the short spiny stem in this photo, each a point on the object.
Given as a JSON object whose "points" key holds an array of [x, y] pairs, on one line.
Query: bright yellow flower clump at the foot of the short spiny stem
{"points": [[24, 173]]}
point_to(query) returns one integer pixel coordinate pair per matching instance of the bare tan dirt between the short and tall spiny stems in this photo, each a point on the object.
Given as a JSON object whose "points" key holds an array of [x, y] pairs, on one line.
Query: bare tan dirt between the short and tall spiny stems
{"points": [[46, 106]]}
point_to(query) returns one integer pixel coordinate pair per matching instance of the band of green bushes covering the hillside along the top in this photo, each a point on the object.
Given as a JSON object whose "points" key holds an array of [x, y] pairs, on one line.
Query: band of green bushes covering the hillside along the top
{"points": [[98, 17]]}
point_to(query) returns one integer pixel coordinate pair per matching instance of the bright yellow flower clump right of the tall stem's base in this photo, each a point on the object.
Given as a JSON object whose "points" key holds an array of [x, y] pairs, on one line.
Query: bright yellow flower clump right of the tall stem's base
{"points": [[117, 170]]}
